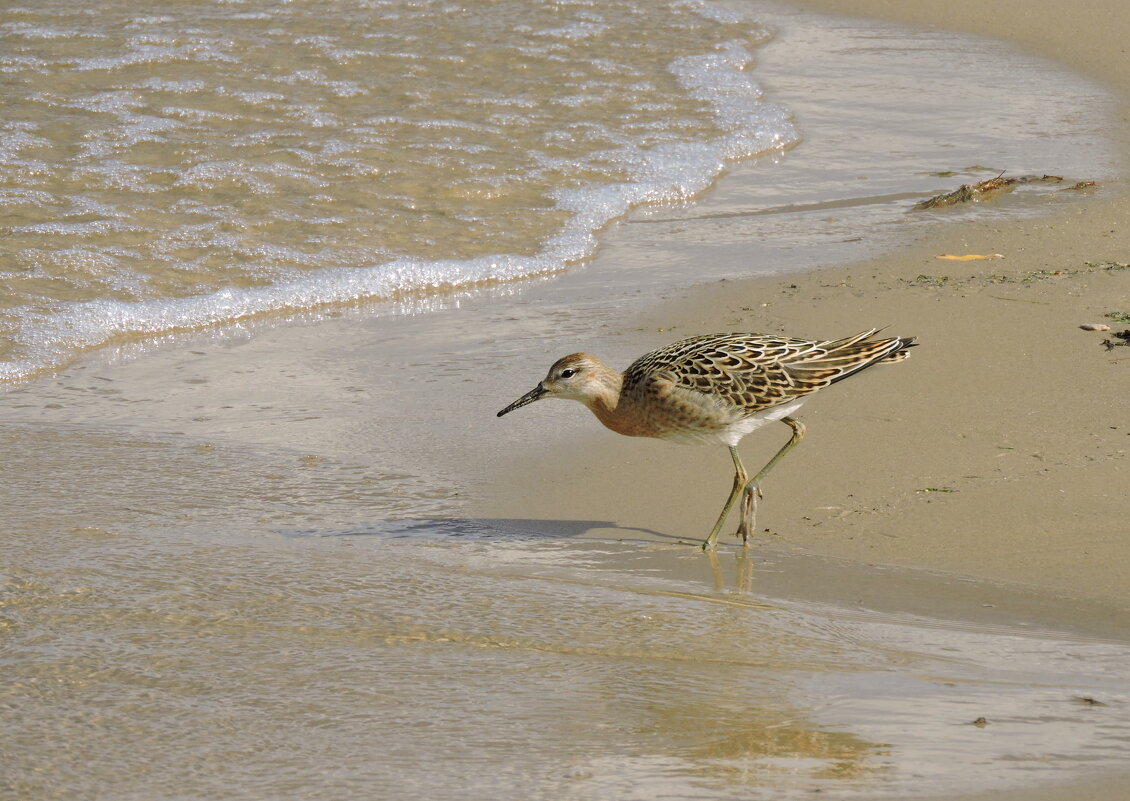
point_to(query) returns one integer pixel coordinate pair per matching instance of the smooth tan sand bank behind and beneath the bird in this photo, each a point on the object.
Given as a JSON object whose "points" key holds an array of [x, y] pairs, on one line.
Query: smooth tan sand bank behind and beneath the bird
{"points": [[997, 451]]}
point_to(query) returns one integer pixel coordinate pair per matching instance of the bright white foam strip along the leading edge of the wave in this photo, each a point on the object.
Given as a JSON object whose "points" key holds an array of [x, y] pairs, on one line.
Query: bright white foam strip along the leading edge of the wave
{"points": [[665, 173]]}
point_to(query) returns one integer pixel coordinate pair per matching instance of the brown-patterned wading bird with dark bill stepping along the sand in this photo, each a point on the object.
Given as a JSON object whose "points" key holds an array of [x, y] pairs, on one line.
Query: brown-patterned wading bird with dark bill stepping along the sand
{"points": [[716, 389]]}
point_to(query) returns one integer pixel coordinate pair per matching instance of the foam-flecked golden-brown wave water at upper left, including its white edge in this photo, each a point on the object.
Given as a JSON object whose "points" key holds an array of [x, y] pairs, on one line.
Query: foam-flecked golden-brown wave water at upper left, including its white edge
{"points": [[204, 162]]}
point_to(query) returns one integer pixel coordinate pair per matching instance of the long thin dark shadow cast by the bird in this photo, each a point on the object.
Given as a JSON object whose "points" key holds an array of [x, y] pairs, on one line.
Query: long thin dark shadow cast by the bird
{"points": [[485, 529]]}
